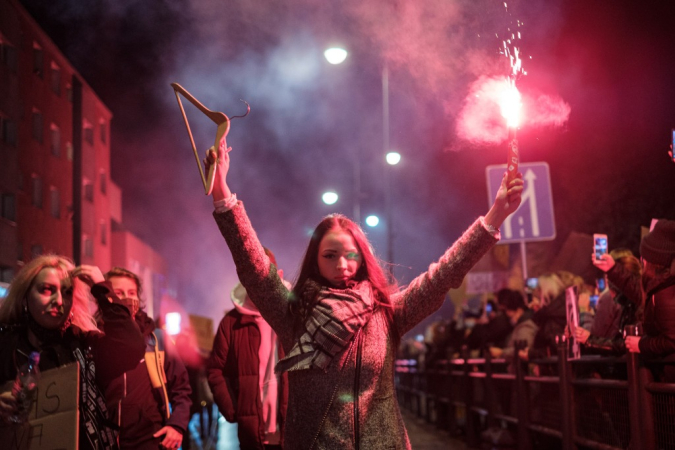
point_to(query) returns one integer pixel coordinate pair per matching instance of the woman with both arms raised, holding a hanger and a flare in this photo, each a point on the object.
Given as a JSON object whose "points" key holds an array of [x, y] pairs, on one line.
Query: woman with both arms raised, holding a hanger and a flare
{"points": [[341, 323]]}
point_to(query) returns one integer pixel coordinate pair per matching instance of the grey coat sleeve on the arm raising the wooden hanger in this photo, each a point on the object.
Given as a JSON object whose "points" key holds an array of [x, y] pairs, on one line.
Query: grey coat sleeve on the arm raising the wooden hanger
{"points": [[255, 270]]}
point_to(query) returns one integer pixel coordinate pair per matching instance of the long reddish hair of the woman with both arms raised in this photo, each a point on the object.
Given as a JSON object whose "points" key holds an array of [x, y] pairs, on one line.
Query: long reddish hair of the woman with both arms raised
{"points": [[370, 269]]}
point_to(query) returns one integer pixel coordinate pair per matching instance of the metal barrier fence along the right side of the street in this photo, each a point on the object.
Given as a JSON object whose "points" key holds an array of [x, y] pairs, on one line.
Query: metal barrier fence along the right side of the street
{"points": [[590, 403]]}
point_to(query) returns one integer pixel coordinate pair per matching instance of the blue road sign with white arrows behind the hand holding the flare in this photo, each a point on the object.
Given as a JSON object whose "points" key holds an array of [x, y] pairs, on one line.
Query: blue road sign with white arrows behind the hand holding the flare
{"points": [[534, 219]]}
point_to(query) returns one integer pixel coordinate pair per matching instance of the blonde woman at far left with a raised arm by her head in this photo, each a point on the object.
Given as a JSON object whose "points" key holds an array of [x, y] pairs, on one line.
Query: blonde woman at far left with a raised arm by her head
{"points": [[47, 310]]}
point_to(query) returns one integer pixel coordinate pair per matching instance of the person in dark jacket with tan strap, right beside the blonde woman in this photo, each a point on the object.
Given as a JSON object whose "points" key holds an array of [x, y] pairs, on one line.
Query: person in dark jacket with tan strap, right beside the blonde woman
{"points": [[151, 403]]}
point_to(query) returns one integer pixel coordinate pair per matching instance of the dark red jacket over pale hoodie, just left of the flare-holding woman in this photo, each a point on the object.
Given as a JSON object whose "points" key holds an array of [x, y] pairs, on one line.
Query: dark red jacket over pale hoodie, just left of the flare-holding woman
{"points": [[241, 374]]}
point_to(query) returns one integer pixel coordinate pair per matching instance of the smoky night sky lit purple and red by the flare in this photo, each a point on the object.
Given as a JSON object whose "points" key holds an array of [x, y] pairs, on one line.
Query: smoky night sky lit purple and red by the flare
{"points": [[611, 62]]}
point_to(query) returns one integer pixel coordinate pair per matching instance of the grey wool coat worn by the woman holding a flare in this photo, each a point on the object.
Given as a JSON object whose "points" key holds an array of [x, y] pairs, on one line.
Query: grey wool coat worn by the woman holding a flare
{"points": [[312, 420]]}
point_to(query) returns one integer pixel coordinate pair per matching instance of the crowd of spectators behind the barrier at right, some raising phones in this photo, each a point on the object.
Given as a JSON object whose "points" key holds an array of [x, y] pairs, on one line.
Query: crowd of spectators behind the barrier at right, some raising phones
{"points": [[525, 324]]}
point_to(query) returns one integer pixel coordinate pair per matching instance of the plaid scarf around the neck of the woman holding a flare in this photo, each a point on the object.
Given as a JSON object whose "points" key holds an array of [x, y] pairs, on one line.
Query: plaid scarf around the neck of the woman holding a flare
{"points": [[337, 315]]}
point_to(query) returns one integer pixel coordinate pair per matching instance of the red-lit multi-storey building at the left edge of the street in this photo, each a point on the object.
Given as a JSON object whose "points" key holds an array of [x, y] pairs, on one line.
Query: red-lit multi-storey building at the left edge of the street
{"points": [[55, 187]]}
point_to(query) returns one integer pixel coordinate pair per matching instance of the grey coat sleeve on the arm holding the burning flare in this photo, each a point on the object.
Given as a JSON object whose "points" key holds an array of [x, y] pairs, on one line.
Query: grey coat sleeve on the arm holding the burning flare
{"points": [[425, 294]]}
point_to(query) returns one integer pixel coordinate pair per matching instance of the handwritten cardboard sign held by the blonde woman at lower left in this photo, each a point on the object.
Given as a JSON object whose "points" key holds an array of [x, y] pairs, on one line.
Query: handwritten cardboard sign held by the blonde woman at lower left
{"points": [[54, 416]]}
